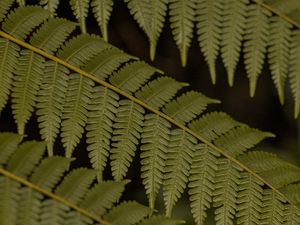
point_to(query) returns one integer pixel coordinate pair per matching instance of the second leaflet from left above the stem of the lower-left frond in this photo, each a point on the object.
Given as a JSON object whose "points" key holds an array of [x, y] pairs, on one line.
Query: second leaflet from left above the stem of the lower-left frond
{"points": [[24, 159]]}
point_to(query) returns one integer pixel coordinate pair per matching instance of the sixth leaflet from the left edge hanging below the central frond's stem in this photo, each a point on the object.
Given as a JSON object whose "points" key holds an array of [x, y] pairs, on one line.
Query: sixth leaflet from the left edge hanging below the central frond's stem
{"points": [[126, 135]]}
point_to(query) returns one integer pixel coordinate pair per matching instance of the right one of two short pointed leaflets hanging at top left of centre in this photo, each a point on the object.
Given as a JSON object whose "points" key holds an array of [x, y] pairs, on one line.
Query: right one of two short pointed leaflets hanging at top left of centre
{"points": [[102, 10]]}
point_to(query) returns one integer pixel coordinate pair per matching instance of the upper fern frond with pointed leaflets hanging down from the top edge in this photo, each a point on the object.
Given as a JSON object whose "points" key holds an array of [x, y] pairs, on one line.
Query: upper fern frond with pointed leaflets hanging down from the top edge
{"points": [[259, 28]]}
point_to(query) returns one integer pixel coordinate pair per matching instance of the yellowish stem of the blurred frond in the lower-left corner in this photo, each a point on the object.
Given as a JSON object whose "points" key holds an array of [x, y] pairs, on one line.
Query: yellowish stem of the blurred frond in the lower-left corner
{"points": [[52, 196]]}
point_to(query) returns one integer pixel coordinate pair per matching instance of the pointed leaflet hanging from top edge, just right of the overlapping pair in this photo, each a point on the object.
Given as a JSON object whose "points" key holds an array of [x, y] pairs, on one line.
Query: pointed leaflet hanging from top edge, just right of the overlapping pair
{"points": [[182, 14]]}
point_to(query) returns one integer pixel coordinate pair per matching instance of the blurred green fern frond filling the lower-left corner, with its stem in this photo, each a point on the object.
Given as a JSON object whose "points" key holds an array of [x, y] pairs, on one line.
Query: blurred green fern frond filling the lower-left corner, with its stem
{"points": [[35, 191]]}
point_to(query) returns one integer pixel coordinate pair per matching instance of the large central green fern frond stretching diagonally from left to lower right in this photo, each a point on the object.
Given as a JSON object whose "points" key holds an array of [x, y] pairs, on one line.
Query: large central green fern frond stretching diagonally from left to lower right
{"points": [[78, 84]]}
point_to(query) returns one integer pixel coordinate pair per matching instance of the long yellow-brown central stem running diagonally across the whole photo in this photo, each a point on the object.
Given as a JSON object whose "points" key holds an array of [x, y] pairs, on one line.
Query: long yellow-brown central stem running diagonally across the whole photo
{"points": [[141, 103]]}
